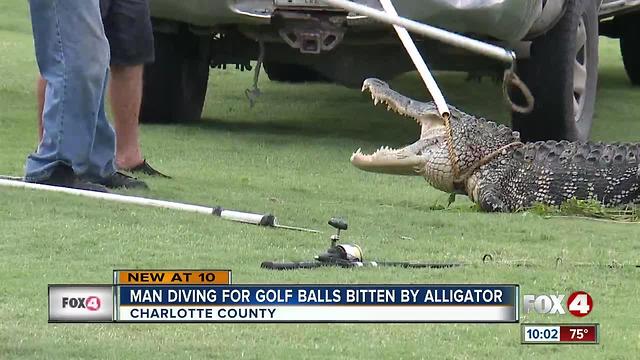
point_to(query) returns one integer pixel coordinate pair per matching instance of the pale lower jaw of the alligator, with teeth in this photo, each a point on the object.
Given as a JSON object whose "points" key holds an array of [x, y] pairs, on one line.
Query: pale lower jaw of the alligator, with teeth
{"points": [[387, 161]]}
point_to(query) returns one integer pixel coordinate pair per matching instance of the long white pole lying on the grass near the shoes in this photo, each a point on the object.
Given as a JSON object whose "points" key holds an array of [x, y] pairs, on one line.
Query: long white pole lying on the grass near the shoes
{"points": [[248, 218]]}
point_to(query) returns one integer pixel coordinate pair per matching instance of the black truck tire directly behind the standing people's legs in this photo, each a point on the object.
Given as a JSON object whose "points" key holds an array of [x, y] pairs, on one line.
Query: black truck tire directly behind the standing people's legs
{"points": [[175, 85]]}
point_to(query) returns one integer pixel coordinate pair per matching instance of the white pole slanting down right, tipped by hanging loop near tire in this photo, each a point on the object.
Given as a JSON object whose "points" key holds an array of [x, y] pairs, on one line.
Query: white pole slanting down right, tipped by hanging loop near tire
{"points": [[447, 37]]}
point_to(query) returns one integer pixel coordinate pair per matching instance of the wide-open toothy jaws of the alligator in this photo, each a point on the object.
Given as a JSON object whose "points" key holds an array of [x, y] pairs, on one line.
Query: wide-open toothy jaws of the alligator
{"points": [[406, 160]]}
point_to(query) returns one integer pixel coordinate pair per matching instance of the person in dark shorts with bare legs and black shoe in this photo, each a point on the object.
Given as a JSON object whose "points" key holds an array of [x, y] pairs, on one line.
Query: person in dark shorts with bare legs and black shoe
{"points": [[127, 25]]}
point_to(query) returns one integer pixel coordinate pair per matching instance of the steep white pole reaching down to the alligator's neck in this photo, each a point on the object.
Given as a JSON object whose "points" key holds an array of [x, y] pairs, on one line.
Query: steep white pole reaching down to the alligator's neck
{"points": [[418, 61]]}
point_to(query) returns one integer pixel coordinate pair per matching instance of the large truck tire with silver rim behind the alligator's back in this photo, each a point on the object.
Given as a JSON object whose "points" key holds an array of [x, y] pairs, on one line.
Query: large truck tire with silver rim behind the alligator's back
{"points": [[562, 74]]}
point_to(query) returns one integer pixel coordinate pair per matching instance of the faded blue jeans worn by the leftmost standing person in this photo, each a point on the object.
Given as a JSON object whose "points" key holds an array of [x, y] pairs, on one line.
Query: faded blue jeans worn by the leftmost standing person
{"points": [[73, 57]]}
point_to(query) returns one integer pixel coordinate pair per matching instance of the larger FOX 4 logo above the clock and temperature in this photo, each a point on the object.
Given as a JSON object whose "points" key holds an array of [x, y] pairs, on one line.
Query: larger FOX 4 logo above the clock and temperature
{"points": [[578, 303]]}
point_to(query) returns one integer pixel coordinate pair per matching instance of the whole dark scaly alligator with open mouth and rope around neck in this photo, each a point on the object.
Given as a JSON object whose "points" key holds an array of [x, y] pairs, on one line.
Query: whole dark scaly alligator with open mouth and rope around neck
{"points": [[468, 155]]}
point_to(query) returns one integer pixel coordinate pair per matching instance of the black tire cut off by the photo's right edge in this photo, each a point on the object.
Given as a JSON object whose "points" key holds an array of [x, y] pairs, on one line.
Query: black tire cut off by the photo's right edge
{"points": [[630, 46]]}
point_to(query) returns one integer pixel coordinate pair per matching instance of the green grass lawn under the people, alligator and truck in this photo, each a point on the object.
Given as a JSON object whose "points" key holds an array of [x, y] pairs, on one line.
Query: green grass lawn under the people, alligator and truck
{"points": [[289, 156]]}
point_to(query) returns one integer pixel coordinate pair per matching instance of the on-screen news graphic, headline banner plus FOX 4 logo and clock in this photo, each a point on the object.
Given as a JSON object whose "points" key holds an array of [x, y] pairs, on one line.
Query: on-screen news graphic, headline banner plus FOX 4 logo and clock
{"points": [[209, 296]]}
